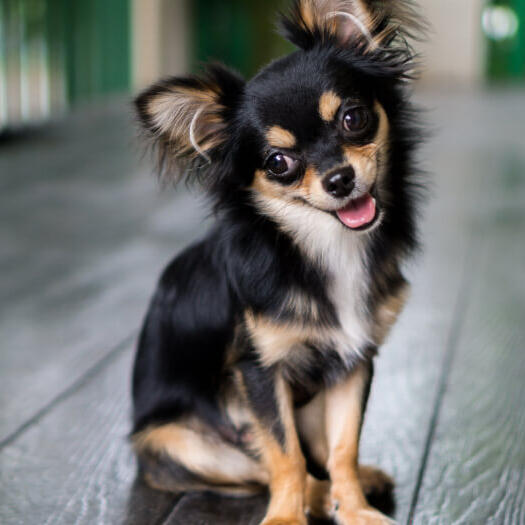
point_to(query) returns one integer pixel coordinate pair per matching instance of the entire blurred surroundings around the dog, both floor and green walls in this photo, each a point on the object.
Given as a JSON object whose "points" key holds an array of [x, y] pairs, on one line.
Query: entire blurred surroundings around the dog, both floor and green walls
{"points": [[85, 232]]}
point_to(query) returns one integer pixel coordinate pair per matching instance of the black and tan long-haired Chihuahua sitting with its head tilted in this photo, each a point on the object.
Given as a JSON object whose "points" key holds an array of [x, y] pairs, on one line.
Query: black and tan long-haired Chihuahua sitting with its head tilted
{"points": [[255, 360]]}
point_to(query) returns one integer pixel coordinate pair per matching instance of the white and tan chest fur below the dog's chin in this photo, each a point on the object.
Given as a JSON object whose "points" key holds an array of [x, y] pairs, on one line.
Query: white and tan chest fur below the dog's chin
{"points": [[334, 322]]}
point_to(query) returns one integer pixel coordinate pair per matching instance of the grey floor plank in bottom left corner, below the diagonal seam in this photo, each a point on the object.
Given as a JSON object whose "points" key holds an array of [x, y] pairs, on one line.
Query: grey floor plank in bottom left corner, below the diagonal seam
{"points": [[76, 466]]}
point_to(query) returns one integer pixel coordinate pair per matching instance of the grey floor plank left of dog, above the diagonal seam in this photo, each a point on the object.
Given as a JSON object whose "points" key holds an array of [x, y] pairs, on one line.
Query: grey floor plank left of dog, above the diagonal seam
{"points": [[84, 234]]}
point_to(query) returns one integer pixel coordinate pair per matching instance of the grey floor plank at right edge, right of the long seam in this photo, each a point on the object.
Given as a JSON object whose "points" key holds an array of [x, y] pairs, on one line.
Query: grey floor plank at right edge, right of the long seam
{"points": [[476, 466]]}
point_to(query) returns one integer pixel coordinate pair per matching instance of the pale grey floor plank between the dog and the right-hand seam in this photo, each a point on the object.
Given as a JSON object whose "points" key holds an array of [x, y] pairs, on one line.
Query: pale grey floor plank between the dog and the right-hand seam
{"points": [[410, 366]]}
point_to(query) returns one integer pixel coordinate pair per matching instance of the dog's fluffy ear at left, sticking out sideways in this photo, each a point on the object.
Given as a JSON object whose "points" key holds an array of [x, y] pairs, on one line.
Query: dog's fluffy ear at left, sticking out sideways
{"points": [[189, 117]]}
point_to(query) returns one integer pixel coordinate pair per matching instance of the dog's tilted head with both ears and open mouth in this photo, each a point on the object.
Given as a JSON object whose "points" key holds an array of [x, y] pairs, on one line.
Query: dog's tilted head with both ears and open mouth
{"points": [[316, 130]]}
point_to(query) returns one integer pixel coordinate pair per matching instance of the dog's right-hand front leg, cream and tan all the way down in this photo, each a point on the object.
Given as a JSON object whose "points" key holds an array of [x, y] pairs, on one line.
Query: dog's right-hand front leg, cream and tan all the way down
{"points": [[344, 415]]}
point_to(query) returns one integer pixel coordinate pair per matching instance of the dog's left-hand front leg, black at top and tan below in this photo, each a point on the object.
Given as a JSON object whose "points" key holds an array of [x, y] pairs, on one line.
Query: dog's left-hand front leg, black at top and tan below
{"points": [[270, 400]]}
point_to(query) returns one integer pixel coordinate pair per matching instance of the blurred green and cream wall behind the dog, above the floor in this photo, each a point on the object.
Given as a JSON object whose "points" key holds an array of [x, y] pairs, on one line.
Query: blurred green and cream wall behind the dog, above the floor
{"points": [[55, 54]]}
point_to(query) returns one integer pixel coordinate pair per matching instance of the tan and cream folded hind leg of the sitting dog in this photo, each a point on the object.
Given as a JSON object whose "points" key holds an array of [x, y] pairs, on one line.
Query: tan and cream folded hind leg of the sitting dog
{"points": [[180, 457]]}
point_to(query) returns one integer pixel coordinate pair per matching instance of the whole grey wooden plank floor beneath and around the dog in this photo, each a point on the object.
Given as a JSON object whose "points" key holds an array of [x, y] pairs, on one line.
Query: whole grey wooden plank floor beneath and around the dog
{"points": [[83, 234]]}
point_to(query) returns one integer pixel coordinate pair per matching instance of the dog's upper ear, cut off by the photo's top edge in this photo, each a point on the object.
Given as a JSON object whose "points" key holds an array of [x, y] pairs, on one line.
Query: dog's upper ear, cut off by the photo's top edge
{"points": [[376, 23]]}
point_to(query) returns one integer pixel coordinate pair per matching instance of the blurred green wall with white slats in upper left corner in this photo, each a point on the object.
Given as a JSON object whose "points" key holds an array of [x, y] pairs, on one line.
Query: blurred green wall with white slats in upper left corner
{"points": [[54, 53]]}
